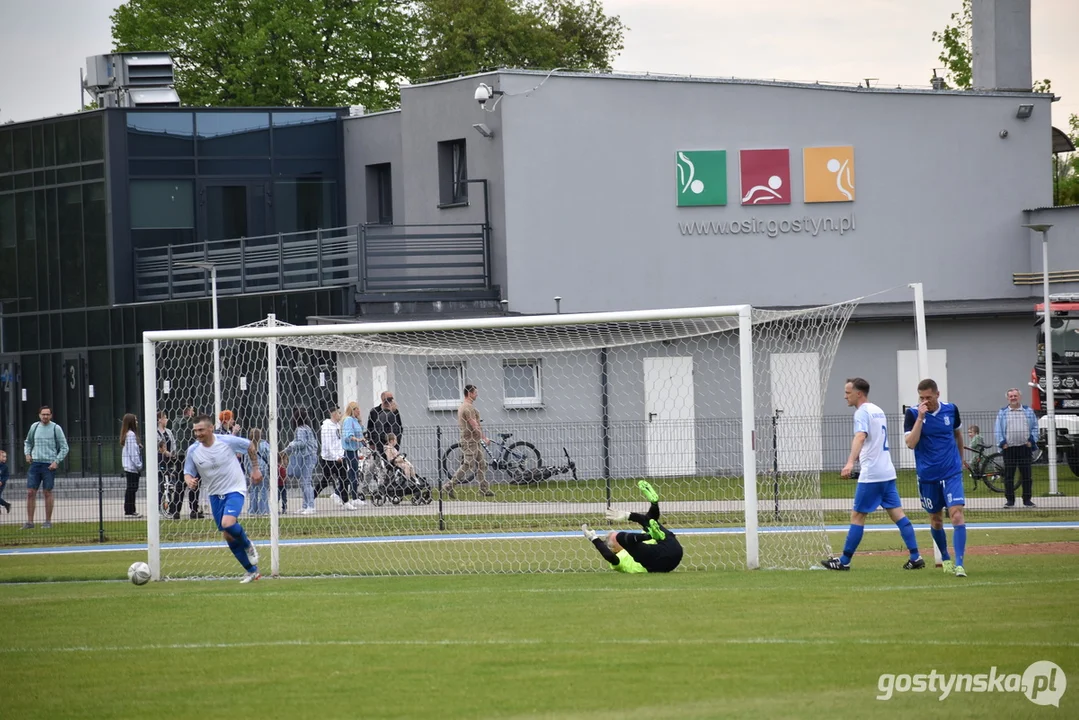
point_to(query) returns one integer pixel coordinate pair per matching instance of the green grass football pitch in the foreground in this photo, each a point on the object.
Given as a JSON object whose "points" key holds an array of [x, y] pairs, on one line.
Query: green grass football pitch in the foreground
{"points": [[597, 646]]}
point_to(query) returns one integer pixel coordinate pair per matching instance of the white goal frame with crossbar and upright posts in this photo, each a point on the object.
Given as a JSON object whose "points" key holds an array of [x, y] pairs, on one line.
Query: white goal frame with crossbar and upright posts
{"points": [[744, 314]]}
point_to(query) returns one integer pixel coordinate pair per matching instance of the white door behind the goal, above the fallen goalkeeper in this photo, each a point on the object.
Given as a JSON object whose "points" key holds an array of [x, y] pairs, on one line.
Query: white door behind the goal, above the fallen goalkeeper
{"points": [[672, 434]]}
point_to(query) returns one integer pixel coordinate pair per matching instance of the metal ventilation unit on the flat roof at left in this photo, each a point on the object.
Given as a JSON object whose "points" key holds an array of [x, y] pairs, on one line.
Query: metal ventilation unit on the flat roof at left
{"points": [[132, 80]]}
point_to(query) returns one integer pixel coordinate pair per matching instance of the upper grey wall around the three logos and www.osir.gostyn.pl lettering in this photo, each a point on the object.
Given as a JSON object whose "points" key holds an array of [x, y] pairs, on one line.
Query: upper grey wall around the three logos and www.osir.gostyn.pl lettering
{"points": [[591, 187]]}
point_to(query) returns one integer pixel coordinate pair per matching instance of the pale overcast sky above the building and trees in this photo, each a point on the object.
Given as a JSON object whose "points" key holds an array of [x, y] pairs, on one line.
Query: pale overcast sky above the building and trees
{"points": [[45, 43]]}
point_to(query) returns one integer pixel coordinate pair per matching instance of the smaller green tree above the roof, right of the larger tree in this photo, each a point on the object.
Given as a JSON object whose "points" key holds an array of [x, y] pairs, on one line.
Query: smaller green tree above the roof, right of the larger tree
{"points": [[467, 36]]}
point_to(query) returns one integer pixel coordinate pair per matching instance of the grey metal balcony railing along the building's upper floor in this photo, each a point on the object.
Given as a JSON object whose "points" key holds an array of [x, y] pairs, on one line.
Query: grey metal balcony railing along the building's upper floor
{"points": [[376, 260]]}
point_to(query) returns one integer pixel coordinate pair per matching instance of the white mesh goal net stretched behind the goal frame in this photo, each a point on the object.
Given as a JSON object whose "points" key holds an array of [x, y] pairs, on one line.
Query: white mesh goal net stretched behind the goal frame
{"points": [[720, 409]]}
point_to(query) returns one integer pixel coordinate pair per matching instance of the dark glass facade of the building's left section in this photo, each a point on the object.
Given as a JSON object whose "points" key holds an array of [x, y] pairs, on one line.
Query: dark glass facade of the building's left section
{"points": [[80, 194]]}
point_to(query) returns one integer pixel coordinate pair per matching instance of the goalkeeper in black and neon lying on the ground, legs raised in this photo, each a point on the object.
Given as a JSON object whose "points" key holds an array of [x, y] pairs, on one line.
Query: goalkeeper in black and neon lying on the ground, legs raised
{"points": [[657, 550]]}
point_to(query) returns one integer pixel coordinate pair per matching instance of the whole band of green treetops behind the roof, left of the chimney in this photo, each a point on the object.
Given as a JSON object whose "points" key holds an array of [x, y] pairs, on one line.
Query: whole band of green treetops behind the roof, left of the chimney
{"points": [[325, 53]]}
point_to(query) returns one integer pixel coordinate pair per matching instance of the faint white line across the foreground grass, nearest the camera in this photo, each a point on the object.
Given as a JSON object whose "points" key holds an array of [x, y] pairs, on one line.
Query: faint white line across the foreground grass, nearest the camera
{"points": [[535, 642]]}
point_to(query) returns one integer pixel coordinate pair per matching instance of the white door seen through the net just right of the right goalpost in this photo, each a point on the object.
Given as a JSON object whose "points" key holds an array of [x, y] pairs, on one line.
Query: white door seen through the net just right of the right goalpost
{"points": [[796, 395]]}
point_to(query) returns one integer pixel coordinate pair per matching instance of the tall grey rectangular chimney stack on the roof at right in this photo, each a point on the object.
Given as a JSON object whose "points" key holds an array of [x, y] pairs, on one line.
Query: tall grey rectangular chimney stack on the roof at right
{"points": [[1002, 45]]}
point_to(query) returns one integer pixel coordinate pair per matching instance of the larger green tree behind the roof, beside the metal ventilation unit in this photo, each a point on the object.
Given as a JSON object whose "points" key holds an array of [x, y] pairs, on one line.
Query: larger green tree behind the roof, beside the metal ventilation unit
{"points": [[316, 53]]}
